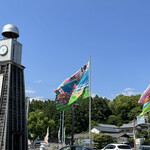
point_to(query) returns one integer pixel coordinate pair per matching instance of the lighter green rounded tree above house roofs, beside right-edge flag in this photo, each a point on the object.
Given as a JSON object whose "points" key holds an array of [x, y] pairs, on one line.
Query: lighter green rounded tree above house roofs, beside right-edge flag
{"points": [[125, 108]]}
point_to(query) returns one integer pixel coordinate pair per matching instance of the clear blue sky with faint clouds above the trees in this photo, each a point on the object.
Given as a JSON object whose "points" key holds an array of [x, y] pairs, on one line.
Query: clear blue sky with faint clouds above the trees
{"points": [[59, 36]]}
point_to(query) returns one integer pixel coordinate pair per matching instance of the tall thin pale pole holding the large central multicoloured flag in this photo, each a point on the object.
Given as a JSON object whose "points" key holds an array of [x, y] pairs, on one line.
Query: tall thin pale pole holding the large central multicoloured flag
{"points": [[90, 144]]}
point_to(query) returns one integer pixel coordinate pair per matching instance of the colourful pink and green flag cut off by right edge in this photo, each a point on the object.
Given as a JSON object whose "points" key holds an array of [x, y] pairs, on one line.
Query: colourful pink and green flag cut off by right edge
{"points": [[145, 100]]}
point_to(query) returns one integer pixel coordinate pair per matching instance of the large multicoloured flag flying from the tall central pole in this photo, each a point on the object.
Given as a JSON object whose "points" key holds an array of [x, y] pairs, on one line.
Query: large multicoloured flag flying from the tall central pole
{"points": [[72, 89]]}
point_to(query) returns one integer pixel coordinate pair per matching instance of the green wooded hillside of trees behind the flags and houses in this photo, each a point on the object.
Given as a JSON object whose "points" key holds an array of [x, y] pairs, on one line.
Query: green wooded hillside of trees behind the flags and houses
{"points": [[122, 109]]}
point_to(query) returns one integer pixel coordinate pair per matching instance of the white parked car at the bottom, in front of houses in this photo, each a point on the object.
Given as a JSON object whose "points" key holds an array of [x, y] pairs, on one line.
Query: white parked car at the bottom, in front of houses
{"points": [[117, 147]]}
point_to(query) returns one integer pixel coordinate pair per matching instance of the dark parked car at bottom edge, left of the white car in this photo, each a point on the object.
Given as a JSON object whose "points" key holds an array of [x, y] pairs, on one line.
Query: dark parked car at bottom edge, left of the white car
{"points": [[75, 147]]}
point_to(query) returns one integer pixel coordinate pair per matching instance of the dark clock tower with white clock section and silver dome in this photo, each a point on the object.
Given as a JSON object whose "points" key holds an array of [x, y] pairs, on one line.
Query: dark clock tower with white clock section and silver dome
{"points": [[13, 126]]}
